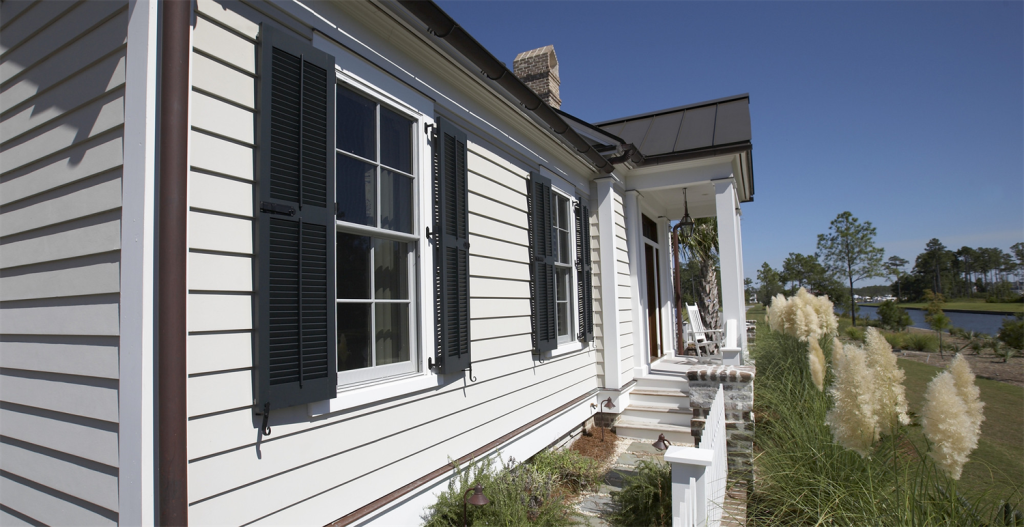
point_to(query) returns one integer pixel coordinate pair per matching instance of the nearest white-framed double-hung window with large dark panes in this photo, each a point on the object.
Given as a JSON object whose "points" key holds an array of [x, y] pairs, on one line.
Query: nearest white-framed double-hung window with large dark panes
{"points": [[376, 246]]}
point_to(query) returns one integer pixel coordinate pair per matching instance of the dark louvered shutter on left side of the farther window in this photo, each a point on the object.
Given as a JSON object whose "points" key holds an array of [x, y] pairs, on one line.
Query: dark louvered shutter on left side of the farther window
{"points": [[542, 244]]}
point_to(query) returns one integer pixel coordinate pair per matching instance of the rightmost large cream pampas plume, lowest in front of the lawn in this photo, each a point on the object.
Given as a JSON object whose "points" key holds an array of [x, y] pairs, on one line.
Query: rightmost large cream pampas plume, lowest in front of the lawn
{"points": [[948, 426]]}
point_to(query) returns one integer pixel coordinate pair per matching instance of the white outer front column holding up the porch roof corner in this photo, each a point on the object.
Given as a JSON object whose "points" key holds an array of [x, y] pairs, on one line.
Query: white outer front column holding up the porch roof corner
{"points": [[733, 270]]}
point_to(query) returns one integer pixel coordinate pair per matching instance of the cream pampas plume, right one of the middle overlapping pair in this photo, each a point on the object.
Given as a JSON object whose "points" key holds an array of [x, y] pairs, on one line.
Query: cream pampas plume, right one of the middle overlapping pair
{"points": [[890, 396]]}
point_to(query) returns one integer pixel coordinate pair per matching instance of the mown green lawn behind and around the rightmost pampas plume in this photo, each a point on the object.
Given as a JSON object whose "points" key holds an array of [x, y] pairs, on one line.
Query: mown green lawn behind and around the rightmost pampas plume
{"points": [[997, 468]]}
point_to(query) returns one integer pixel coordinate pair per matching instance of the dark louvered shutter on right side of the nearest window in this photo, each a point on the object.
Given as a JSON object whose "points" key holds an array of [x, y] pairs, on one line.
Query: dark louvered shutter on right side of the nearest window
{"points": [[452, 249]]}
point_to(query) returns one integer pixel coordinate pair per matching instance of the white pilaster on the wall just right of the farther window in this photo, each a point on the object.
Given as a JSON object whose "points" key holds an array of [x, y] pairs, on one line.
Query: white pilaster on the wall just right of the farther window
{"points": [[609, 282]]}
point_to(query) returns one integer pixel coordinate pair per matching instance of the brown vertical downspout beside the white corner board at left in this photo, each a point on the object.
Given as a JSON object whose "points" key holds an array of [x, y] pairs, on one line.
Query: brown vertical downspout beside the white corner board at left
{"points": [[173, 206]]}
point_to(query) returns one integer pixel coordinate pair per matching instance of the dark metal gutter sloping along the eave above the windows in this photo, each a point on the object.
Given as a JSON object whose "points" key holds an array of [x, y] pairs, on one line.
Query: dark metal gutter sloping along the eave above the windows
{"points": [[442, 26]]}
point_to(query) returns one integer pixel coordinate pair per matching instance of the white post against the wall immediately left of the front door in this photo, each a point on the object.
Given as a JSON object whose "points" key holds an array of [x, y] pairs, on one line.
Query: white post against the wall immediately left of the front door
{"points": [[638, 288]]}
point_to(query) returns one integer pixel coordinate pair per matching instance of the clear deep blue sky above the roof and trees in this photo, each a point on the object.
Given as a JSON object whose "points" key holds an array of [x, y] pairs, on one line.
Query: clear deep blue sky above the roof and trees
{"points": [[910, 115]]}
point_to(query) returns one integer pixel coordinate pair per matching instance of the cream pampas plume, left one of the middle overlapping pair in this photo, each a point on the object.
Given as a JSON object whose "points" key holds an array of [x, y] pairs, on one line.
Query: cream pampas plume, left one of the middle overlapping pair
{"points": [[852, 419]]}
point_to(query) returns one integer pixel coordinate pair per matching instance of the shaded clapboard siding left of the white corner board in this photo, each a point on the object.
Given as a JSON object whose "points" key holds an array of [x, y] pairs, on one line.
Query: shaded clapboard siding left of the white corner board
{"points": [[62, 116]]}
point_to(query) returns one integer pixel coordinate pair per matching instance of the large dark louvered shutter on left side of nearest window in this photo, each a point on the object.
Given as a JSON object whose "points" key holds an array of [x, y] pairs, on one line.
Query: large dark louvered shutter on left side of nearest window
{"points": [[295, 360]]}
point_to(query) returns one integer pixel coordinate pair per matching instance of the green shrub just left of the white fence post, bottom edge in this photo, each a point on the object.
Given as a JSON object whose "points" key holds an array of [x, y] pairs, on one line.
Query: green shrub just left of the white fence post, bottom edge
{"points": [[646, 500]]}
